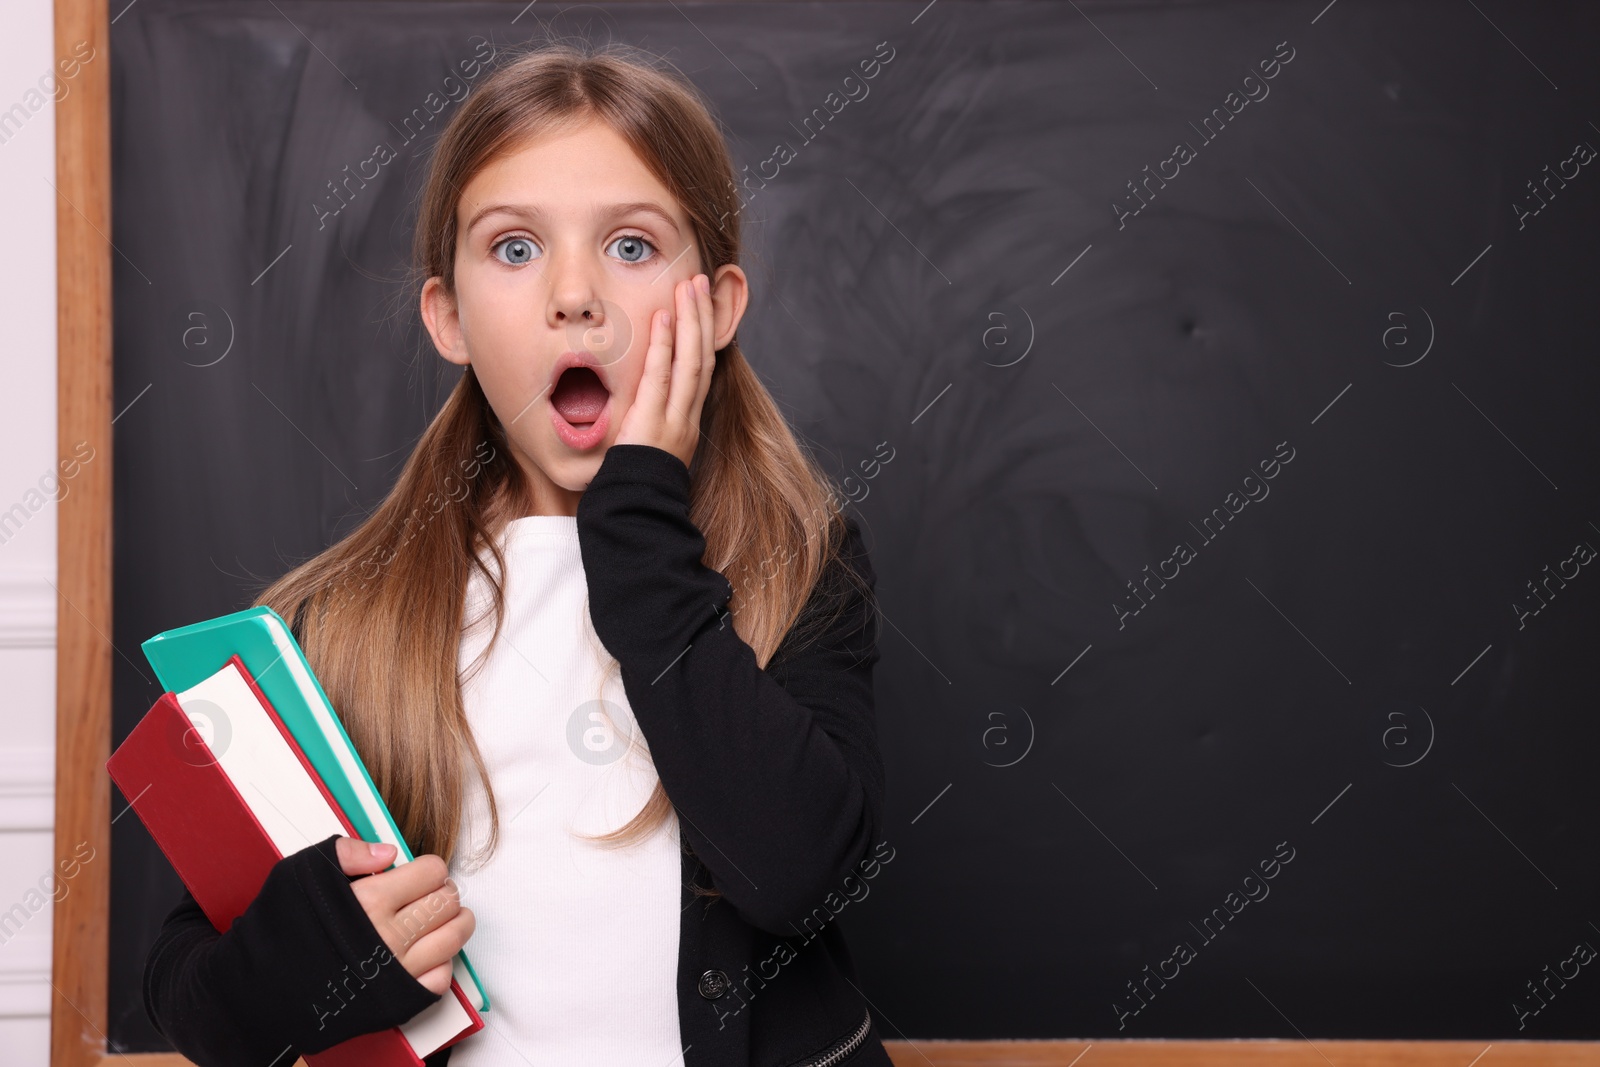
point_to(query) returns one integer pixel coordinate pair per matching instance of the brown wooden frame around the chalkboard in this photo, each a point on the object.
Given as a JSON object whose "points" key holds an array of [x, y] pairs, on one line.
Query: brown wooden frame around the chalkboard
{"points": [[84, 668]]}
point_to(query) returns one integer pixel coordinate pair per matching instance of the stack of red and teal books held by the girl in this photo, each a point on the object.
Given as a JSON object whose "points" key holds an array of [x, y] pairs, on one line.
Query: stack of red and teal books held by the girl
{"points": [[244, 762]]}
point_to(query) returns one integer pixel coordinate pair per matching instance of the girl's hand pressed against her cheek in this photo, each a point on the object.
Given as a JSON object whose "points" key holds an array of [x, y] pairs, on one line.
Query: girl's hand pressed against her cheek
{"points": [[666, 409]]}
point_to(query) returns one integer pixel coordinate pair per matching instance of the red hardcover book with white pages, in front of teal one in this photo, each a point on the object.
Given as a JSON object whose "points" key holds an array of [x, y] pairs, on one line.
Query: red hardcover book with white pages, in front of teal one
{"points": [[188, 775]]}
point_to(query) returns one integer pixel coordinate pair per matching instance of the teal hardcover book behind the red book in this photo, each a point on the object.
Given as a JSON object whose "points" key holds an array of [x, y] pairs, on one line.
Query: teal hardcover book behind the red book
{"points": [[265, 644]]}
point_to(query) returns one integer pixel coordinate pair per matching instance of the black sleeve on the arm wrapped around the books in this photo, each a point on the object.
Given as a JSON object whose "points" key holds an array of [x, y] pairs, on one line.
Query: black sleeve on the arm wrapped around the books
{"points": [[302, 970]]}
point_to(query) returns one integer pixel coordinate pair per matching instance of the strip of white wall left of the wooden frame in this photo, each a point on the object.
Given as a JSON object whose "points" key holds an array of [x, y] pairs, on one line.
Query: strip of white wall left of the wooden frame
{"points": [[28, 526]]}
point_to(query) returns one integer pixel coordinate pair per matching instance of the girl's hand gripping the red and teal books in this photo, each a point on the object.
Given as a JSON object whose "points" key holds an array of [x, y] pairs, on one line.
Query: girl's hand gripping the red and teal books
{"points": [[415, 908]]}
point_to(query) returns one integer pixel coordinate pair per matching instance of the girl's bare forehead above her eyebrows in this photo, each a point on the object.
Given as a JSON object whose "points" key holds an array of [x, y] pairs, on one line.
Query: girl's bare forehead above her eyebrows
{"points": [[567, 174]]}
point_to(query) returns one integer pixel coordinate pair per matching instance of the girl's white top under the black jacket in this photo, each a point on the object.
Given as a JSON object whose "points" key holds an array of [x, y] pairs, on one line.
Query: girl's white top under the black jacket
{"points": [[577, 946]]}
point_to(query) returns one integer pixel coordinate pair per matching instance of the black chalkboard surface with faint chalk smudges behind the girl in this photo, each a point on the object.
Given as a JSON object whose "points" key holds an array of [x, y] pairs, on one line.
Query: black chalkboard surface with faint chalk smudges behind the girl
{"points": [[1217, 388]]}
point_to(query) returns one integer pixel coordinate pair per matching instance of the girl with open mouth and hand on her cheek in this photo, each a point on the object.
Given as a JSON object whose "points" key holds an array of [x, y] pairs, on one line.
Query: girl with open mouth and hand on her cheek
{"points": [[612, 583]]}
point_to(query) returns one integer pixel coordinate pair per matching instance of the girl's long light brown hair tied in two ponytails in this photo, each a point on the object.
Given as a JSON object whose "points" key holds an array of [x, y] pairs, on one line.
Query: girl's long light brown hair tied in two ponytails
{"points": [[383, 609]]}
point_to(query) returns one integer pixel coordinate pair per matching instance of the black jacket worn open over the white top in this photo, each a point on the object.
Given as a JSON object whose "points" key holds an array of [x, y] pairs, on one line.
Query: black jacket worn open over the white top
{"points": [[775, 775]]}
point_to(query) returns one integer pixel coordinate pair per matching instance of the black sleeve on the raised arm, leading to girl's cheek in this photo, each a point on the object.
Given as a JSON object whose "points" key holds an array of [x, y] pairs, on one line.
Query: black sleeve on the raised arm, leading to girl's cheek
{"points": [[777, 775]]}
